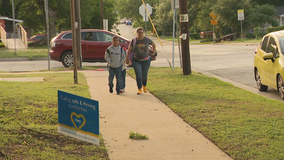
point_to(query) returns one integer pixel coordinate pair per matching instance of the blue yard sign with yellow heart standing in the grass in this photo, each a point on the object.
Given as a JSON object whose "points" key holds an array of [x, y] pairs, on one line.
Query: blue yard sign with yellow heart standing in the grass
{"points": [[78, 117]]}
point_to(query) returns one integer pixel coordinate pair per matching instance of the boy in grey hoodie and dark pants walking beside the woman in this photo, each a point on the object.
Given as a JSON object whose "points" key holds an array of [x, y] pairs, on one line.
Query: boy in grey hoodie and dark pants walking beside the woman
{"points": [[115, 58]]}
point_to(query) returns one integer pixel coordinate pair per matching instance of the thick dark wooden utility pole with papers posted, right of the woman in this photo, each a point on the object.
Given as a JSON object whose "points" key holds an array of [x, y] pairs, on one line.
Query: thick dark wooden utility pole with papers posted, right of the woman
{"points": [[184, 37]]}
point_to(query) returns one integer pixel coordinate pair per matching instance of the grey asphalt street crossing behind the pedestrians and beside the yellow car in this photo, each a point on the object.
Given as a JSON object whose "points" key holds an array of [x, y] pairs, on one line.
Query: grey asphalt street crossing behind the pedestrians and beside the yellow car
{"points": [[230, 61]]}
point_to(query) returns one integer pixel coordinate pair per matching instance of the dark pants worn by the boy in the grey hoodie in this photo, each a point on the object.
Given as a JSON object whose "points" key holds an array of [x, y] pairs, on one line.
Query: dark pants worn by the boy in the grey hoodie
{"points": [[117, 72]]}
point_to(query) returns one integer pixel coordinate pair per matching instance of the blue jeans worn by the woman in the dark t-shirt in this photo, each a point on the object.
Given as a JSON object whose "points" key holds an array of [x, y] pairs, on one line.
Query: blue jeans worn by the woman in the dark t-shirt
{"points": [[141, 71]]}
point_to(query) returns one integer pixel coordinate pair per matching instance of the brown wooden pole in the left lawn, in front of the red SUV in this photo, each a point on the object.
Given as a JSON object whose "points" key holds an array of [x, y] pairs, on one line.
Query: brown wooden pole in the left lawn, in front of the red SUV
{"points": [[76, 36]]}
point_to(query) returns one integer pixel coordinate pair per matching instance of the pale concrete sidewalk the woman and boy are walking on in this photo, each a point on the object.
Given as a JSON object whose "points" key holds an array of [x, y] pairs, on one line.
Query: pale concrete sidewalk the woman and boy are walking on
{"points": [[170, 138]]}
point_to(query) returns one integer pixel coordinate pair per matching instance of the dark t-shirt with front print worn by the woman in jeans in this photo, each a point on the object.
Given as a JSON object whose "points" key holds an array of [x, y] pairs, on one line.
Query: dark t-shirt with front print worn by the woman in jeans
{"points": [[141, 50]]}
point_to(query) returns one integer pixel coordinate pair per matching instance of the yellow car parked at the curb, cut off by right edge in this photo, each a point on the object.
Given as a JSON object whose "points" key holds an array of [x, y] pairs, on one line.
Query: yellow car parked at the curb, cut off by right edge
{"points": [[269, 63]]}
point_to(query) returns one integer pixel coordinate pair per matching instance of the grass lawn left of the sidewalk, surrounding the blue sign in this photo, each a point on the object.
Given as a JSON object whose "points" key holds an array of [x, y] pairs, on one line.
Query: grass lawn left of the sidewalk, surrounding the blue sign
{"points": [[34, 106]]}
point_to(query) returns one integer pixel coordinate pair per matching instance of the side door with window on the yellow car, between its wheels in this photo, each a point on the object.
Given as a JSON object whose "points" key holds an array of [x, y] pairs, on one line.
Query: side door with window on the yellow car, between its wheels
{"points": [[271, 67]]}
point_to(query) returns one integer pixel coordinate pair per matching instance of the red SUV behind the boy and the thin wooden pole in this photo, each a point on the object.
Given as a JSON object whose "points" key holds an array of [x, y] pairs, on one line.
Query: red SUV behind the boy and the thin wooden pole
{"points": [[94, 43]]}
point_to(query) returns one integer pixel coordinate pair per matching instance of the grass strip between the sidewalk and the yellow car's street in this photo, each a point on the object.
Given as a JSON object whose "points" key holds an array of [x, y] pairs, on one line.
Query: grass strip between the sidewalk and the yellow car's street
{"points": [[242, 124]]}
